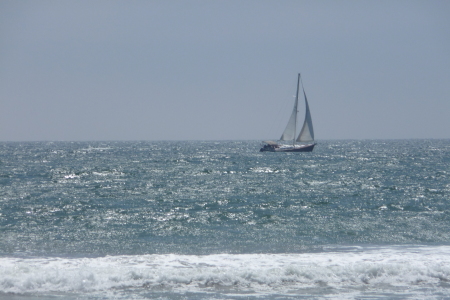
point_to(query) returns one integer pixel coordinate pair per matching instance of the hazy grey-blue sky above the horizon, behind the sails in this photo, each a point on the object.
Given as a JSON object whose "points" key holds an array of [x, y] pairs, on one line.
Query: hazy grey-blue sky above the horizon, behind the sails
{"points": [[222, 70]]}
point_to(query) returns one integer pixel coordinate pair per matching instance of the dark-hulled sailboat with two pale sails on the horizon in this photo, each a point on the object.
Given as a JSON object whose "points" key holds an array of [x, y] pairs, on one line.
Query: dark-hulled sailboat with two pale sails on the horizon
{"points": [[306, 136]]}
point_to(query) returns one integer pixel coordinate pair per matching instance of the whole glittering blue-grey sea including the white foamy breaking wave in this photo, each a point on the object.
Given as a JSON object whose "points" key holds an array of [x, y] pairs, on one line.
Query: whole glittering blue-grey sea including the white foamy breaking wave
{"points": [[221, 220]]}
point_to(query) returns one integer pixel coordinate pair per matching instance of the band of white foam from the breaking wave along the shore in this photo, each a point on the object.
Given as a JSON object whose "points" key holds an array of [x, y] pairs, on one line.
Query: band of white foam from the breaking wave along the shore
{"points": [[410, 268]]}
